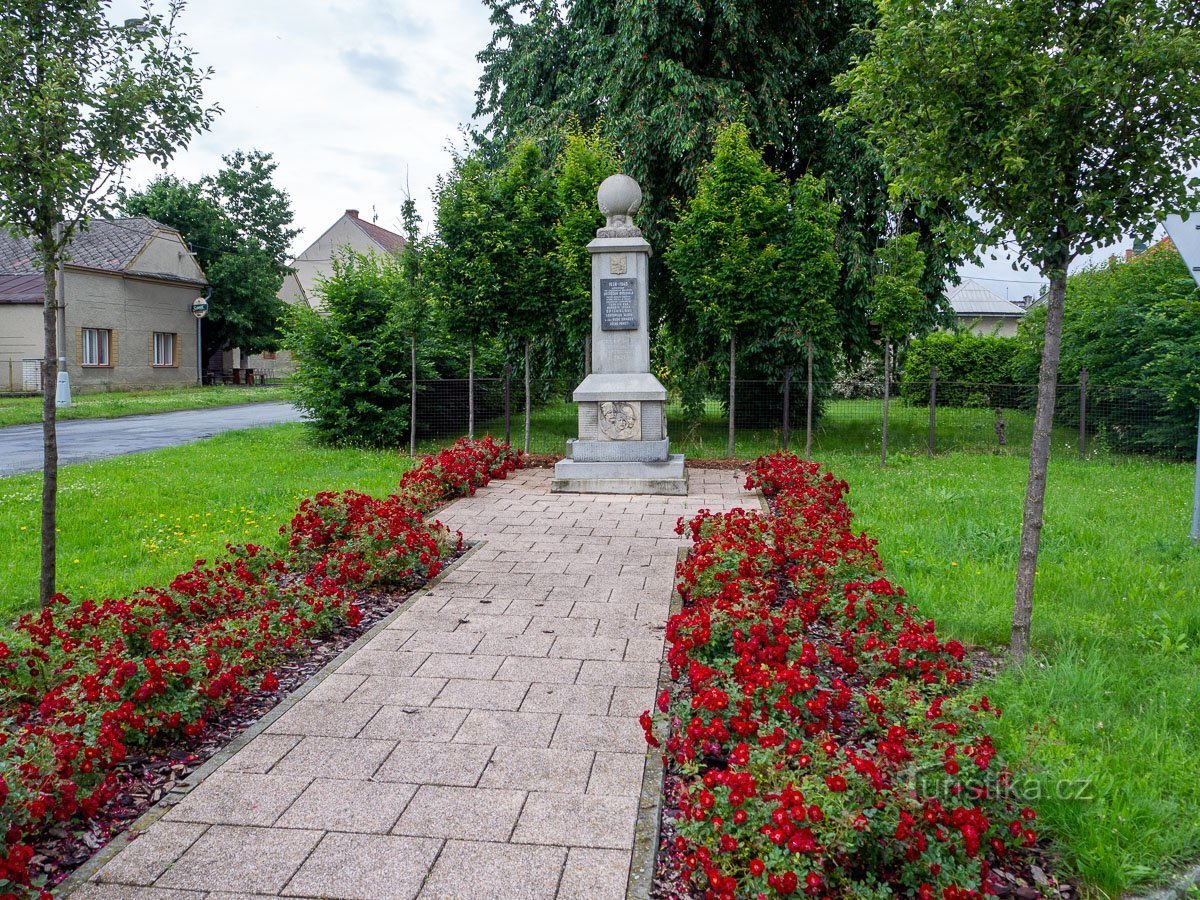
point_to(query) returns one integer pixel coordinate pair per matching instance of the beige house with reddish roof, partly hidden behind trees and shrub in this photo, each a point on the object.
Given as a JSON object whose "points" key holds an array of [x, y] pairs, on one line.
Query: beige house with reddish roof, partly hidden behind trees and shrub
{"points": [[316, 263]]}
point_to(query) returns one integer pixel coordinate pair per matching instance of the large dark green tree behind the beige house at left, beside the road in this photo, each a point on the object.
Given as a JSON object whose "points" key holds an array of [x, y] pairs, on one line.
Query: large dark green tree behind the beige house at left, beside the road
{"points": [[238, 224]]}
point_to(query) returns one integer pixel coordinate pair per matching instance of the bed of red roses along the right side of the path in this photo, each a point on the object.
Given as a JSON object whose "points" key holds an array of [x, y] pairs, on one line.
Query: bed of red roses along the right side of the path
{"points": [[819, 730]]}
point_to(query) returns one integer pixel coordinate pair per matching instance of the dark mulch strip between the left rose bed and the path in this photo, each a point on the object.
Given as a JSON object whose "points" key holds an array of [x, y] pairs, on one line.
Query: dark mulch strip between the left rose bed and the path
{"points": [[146, 779]]}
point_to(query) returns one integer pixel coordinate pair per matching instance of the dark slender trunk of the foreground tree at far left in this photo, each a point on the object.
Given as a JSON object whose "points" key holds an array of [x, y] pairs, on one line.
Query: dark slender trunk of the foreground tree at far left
{"points": [[46, 586]]}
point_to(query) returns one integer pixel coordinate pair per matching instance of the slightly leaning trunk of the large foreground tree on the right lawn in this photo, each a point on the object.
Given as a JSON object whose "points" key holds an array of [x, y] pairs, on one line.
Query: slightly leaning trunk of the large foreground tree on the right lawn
{"points": [[1040, 458]]}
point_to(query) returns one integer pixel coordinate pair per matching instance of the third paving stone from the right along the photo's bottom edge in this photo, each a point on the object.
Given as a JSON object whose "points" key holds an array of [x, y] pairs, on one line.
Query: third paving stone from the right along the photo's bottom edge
{"points": [[365, 867]]}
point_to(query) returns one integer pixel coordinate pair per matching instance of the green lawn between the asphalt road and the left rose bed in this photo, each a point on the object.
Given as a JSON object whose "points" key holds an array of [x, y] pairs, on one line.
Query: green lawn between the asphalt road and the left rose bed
{"points": [[142, 519]]}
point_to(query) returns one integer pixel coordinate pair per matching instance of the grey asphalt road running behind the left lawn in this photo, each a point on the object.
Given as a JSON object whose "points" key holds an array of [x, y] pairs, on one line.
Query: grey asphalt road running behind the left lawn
{"points": [[85, 440]]}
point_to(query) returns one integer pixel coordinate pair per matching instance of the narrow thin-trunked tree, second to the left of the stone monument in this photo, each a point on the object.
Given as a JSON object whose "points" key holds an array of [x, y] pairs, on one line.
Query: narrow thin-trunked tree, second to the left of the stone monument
{"points": [[527, 291]]}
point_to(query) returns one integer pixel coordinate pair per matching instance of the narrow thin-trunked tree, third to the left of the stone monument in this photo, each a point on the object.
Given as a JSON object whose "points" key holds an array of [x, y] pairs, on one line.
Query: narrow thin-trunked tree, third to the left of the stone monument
{"points": [[461, 267]]}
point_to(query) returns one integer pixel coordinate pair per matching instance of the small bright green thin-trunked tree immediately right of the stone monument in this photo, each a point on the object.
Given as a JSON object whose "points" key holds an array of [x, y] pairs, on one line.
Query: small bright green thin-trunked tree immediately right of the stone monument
{"points": [[728, 247]]}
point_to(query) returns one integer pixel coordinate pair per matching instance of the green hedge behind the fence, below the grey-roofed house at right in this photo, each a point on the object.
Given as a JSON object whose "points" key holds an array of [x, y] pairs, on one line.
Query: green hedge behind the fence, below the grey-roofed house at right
{"points": [[973, 370]]}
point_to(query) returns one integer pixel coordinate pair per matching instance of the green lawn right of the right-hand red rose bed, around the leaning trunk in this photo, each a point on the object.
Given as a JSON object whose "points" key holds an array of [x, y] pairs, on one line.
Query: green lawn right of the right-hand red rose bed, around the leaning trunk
{"points": [[1111, 705]]}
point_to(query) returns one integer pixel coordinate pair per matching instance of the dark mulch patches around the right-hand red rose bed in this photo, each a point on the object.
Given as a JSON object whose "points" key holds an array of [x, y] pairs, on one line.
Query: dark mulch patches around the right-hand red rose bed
{"points": [[1025, 879]]}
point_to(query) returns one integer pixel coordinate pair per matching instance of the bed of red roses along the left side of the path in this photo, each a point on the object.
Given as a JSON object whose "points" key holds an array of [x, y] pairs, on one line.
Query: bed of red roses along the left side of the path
{"points": [[86, 682]]}
